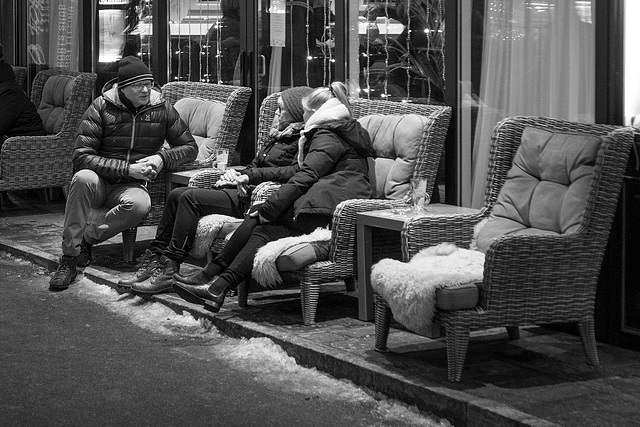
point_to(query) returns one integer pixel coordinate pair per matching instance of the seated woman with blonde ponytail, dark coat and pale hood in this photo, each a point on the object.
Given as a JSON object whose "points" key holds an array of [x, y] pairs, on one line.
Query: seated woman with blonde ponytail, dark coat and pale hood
{"points": [[332, 167]]}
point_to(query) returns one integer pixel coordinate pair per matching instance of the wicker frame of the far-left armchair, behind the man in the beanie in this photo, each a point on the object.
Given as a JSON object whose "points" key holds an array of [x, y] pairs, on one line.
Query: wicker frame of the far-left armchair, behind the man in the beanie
{"points": [[29, 162]]}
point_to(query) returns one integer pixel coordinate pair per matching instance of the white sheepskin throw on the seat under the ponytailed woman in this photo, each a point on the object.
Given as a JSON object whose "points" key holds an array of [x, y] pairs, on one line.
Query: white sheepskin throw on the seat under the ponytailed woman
{"points": [[264, 263]]}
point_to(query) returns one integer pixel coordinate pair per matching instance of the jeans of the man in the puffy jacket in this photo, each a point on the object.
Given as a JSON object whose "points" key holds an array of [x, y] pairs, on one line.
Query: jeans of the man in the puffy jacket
{"points": [[127, 204]]}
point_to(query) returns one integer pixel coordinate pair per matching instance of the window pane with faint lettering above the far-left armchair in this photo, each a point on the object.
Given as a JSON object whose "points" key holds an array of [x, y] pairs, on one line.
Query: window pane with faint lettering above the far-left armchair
{"points": [[52, 36]]}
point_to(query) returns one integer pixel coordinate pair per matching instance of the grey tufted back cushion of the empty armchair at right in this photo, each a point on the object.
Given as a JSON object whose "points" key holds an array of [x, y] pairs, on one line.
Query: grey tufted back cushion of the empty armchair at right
{"points": [[547, 187]]}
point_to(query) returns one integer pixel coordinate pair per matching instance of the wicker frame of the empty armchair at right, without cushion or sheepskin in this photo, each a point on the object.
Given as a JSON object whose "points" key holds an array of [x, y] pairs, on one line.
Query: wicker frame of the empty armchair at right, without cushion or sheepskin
{"points": [[528, 279]]}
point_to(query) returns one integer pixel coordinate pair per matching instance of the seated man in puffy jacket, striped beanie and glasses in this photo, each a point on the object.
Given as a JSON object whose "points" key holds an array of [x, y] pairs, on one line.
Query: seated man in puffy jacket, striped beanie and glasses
{"points": [[119, 148]]}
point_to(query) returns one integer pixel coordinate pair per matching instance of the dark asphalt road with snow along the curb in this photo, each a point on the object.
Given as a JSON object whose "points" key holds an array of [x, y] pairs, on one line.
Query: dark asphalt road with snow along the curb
{"points": [[67, 360]]}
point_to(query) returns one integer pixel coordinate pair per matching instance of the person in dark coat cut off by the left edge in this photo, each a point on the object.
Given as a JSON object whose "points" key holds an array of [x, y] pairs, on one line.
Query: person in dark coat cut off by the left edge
{"points": [[18, 115]]}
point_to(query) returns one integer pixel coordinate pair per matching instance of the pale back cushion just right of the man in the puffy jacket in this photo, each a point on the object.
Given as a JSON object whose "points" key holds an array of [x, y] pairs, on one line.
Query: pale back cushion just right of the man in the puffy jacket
{"points": [[204, 118]]}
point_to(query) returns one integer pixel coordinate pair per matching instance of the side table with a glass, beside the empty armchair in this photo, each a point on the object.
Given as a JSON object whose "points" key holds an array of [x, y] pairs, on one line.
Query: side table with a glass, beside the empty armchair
{"points": [[366, 223]]}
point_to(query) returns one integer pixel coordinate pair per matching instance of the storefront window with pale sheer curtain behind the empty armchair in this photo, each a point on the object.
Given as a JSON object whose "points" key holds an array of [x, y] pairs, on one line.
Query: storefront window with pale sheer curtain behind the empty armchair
{"points": [[520, 57]]}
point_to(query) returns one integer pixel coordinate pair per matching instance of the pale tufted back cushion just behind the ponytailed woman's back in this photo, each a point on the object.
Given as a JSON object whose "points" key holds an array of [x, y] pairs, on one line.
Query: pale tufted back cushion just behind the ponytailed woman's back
{"points": [[396, 140]]}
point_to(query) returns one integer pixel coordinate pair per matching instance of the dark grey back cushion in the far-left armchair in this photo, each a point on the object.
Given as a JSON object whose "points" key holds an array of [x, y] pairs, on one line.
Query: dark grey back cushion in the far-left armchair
{"points": [[55, 93]]}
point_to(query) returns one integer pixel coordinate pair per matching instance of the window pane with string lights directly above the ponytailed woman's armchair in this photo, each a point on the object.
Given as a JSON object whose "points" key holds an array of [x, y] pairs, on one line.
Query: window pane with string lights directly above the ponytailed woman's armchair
{"points": [[400, 49]]}
